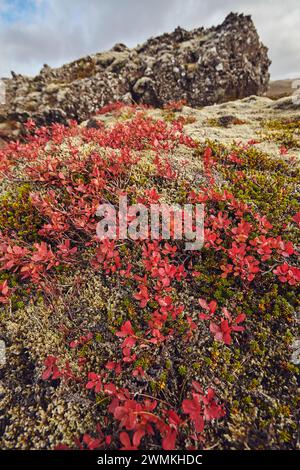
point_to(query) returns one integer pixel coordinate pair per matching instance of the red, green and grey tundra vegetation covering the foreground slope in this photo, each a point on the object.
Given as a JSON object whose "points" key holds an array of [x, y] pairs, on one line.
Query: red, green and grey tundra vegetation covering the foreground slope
{"points": [[122, 344]]}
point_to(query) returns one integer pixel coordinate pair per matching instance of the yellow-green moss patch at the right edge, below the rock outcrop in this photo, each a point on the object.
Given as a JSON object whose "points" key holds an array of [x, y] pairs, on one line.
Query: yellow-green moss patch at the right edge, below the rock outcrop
{"points": [[269, 186]]}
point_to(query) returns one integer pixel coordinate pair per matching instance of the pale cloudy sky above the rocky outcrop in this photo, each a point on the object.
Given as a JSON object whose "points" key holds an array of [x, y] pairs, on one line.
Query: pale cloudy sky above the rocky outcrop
{"points": [[34, 32]]}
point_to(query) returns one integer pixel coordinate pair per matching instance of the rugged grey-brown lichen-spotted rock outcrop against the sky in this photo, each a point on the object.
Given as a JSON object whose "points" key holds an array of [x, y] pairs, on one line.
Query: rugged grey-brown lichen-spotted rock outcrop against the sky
{"points": [[202, 66]]}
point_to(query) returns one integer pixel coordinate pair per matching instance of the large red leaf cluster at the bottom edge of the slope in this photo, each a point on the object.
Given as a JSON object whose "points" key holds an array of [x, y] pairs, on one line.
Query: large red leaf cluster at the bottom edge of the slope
{"points": [[140, 419]]}
